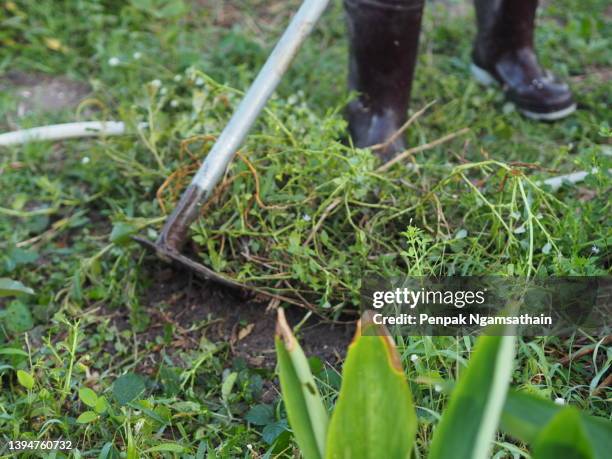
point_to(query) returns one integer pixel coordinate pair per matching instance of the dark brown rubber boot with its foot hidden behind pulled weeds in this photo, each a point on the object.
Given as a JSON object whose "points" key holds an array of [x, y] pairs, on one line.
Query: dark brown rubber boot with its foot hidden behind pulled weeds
{"points": [[384, 37]]}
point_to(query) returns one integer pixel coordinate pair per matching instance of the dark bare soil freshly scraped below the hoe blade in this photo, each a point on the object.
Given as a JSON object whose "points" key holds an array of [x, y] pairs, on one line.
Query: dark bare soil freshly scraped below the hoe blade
{"points": [[178, 298]]}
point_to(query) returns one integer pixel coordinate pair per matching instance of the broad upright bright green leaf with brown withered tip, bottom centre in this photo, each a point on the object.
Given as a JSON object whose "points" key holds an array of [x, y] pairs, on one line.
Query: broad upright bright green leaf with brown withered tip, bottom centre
{"points": [[374, 416]]}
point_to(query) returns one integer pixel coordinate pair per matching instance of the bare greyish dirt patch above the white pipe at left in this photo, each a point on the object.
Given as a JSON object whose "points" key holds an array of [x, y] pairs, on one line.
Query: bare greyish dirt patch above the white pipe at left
{"points": [[42, 93]]}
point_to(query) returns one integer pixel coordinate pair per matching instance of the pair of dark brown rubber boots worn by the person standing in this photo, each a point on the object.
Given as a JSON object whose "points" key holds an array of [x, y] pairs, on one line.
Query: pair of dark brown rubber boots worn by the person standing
{"points": [[384, 36]]}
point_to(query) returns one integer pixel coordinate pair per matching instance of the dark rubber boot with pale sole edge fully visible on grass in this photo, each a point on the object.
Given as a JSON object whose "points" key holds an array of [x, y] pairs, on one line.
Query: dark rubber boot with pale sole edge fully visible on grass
{"points": [[503, 53]]}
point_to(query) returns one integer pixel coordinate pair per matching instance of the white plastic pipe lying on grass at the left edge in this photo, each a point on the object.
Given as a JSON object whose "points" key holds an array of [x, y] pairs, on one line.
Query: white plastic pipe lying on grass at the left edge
{"points": [[63, 131]]}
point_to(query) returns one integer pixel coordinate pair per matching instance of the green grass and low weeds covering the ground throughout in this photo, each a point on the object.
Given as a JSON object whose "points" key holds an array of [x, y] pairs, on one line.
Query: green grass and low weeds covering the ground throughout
{"points": [[200, 397]]}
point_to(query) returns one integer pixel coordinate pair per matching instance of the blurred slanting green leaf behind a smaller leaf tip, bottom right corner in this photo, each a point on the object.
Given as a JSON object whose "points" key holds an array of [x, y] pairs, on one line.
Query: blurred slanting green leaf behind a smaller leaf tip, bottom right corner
{"points": [[525, 415]]}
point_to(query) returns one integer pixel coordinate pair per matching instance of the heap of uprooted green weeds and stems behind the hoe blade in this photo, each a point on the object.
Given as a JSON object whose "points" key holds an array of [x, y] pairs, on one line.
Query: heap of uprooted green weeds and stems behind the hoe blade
{"points": [[304, 216]]}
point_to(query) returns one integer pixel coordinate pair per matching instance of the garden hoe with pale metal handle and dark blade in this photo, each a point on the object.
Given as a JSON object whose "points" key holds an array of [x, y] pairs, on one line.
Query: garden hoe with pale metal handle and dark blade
{"points": [[174, 233]]}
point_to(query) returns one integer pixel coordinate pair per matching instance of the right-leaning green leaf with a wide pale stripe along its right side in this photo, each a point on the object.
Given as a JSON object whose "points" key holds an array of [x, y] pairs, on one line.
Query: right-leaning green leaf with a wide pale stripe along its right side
{"points": [[470, 421]]}
